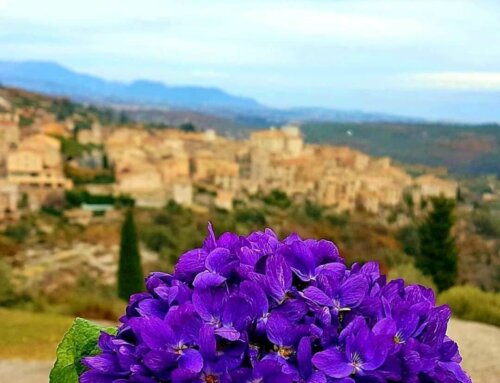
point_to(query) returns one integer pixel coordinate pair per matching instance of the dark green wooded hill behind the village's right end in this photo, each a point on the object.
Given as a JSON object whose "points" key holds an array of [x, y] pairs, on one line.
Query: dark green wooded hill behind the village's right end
{"points": [[465, 149]]}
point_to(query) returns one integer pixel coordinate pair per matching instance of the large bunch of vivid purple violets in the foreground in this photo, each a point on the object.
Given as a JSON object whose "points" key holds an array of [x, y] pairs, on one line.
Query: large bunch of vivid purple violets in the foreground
{"points": [[260, 309]]}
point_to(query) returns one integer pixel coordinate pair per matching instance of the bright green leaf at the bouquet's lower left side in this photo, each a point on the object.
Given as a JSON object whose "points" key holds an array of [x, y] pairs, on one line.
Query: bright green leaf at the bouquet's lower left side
{"points": [[80, 341]]}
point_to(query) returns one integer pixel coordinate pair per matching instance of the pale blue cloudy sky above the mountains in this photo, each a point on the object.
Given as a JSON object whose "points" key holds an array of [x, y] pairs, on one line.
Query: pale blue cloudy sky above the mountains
{"points": [[430, 58]]}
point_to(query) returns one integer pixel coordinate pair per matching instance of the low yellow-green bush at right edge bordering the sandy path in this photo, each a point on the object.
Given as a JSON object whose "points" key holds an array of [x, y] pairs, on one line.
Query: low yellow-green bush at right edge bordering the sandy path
{"points": [[471, 303]]}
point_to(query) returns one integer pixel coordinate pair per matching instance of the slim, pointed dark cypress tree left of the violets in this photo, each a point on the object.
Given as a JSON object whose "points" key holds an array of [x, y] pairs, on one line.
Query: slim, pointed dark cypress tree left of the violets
{"points": [[130, 274]]}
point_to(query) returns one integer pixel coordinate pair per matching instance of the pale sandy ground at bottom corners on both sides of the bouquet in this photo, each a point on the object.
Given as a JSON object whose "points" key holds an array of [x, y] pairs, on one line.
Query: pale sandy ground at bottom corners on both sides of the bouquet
{"points": [[479, 344]]}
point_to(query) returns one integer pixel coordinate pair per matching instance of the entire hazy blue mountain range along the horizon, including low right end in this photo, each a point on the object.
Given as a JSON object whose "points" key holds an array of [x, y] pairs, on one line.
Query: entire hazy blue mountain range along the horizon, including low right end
{"points": [[53, 79]]}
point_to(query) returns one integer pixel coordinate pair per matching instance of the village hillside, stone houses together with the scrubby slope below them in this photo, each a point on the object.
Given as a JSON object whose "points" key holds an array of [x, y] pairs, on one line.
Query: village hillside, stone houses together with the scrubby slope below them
{"points": [[67, 171]]}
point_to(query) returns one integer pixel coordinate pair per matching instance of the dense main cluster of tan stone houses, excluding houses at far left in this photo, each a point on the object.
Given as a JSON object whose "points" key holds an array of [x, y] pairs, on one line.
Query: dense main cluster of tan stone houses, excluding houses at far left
{"points": [[155, 167]]}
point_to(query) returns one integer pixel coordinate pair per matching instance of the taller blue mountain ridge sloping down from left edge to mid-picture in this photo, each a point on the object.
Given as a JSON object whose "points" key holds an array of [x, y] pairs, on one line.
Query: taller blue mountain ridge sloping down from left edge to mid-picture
{"points": [[54, 79]]}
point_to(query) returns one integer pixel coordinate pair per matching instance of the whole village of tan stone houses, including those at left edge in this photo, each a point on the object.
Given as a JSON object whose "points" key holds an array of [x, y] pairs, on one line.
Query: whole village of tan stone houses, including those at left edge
{"points": [[194, 169]]}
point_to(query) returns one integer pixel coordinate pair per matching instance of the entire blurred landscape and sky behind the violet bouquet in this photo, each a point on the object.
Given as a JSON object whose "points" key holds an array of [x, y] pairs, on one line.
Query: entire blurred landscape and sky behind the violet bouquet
{"points": [[126, 126]]}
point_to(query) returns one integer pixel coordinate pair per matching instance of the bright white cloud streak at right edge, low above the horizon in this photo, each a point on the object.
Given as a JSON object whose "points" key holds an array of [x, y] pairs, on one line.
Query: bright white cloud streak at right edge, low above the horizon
{"points": [[467, 81]]}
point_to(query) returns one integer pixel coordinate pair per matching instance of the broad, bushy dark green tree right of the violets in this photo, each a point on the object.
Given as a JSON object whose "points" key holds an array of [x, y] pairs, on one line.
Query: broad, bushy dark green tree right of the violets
{"points": [[438, 253]]}
